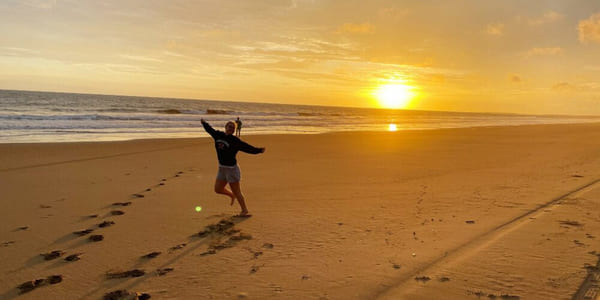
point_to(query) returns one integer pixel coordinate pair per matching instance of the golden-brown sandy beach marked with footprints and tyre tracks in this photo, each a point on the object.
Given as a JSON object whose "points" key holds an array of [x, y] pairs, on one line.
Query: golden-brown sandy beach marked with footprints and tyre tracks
{"points": [[479, 213]]}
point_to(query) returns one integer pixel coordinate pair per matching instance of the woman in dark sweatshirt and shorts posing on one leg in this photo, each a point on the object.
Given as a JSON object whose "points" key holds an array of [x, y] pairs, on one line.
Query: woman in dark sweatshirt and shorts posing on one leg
{"points": [[227, 146]]}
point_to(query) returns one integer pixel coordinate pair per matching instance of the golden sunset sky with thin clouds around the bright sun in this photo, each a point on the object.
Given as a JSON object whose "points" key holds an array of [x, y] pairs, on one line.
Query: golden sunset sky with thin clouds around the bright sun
{"points": [[491, 56]]}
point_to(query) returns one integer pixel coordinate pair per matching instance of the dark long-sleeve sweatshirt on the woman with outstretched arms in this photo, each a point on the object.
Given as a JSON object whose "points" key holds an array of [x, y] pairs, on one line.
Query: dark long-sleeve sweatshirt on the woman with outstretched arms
{"points": [[227, 146]]}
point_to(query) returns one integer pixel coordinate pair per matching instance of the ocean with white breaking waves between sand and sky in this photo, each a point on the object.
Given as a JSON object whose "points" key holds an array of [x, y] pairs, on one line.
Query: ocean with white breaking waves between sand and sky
{"points": [[27, 117]]}
